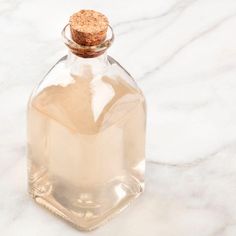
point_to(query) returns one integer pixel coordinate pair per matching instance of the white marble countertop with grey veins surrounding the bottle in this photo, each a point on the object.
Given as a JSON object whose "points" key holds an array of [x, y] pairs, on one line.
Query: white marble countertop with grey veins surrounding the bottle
{"points": [[183, 55]]}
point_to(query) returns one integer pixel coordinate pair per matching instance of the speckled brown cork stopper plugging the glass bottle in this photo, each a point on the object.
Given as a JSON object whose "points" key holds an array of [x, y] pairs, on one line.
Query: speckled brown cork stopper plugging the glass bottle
{"points": [[88, 27]]}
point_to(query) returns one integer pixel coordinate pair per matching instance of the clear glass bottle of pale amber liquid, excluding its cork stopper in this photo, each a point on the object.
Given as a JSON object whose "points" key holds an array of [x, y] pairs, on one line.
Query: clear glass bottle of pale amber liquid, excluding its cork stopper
{"points": [[86, 136]]}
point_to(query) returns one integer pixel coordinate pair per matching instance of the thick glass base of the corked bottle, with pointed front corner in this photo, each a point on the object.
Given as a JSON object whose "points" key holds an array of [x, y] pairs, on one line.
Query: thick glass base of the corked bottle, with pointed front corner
{"points": [[86, 209]]}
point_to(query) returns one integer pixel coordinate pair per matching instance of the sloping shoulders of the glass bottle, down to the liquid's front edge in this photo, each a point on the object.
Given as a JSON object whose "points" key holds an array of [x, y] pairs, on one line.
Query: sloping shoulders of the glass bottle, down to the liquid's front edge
{"points": [[87, 103]]}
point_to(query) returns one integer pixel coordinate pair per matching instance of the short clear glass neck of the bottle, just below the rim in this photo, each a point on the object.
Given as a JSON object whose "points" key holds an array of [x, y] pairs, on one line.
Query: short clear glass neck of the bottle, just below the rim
{"points": [[78, 66]]}
